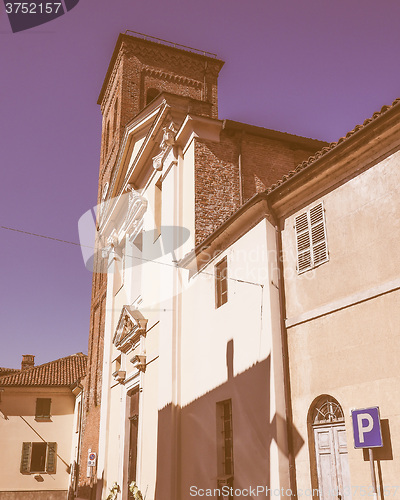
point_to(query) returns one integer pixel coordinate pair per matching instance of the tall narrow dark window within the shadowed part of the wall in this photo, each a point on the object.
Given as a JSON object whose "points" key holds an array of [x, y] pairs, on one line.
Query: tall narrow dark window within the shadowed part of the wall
{"points": [[225, 445]]}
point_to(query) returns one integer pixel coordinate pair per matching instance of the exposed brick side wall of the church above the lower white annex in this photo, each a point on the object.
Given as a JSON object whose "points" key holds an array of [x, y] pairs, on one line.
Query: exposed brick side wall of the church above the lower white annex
{"points": [[230, 172]]}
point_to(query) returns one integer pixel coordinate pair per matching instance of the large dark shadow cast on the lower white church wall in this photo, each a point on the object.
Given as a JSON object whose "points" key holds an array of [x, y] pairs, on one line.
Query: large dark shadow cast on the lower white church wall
{"points": [[194, 448]]}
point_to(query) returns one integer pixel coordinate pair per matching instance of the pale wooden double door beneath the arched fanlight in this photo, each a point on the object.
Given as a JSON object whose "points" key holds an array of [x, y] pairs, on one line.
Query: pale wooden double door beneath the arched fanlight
{"points": [[332, 462]]}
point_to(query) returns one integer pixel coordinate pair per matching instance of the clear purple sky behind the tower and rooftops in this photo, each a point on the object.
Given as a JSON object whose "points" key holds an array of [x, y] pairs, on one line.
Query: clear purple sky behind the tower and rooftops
{"points": [[309, 67]]}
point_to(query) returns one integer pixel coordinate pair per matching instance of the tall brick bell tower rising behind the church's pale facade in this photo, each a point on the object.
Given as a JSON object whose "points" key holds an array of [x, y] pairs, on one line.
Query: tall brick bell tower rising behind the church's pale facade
{"points": [[140, 68]]}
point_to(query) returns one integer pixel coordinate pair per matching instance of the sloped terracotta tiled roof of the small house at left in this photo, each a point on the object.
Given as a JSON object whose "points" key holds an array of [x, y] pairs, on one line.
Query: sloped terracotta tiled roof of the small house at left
{"points": [[62, 372]]}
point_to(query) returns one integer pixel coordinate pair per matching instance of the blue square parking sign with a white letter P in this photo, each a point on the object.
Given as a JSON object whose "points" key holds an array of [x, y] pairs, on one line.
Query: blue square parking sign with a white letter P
{"points": [[367, 428]]}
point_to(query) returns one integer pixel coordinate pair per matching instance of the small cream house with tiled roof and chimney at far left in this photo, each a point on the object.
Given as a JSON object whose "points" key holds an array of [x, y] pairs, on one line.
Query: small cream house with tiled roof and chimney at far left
{"points": [[40, 428]]}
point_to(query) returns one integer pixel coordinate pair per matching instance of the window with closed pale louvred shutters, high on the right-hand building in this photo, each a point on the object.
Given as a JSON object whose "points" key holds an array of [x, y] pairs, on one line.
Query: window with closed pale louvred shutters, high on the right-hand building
{"points": [[312, 249]]}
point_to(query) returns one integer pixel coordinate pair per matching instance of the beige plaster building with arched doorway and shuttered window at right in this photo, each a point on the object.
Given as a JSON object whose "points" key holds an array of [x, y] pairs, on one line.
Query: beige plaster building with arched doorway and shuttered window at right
{"points": [[338, 217]]}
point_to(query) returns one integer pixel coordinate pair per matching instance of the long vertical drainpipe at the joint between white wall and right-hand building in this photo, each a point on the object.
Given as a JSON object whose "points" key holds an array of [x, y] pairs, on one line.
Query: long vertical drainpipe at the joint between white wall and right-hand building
{"points": [[285, 352]]}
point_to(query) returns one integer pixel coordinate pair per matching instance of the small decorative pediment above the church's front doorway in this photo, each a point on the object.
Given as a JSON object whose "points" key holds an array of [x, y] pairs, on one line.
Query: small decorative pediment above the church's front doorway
{"points": [[131, 326]]}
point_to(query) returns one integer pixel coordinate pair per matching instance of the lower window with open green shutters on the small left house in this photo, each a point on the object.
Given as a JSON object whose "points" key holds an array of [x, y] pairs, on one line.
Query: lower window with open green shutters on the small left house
{"points": [[38, 457]]}
